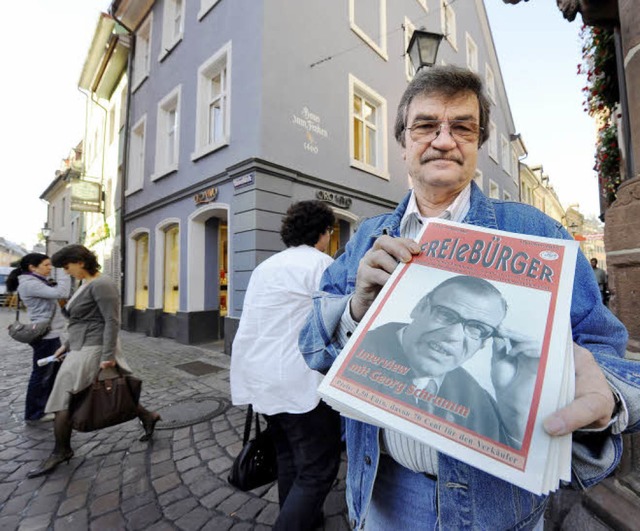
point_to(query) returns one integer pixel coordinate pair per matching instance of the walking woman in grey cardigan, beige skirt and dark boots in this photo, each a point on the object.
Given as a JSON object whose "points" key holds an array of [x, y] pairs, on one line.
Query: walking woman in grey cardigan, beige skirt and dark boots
{"points": [[94, 322]]}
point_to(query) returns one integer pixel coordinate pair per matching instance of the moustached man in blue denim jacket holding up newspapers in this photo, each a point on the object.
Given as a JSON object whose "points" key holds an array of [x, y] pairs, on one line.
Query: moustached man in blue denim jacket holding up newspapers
{"points": [[394, 482]]}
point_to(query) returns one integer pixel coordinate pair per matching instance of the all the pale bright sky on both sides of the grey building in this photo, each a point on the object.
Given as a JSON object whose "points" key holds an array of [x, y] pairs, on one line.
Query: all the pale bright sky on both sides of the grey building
{"points": [[44, 49]]}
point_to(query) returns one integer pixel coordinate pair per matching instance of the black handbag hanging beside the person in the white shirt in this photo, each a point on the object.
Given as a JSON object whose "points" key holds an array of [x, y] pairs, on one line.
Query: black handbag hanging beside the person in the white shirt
{"points": [[256, 464]]}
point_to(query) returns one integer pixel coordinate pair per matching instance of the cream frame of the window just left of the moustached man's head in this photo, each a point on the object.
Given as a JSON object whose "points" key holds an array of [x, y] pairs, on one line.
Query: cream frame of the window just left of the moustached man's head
{"points": [[360, 89]]}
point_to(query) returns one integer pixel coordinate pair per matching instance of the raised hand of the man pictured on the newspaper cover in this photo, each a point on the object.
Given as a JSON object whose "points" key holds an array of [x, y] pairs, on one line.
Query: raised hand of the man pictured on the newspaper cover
{"points": [[514, 367]]}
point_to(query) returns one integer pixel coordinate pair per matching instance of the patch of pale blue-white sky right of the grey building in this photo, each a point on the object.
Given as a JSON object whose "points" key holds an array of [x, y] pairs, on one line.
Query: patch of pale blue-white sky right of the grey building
{"points": [[539, 52]]}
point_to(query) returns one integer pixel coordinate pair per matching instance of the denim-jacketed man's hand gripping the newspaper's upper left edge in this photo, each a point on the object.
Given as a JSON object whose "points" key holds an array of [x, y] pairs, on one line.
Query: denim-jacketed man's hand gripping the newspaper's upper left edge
{"points": [[375, 268]]}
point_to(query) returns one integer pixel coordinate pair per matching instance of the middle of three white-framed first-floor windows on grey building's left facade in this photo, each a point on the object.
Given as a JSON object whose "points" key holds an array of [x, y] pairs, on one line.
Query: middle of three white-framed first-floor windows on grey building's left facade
{"points": [[168, 134]]}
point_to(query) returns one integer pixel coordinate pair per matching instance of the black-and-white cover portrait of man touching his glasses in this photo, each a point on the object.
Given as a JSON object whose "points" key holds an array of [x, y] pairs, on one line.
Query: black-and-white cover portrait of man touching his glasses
{"points": [[449, 325]]}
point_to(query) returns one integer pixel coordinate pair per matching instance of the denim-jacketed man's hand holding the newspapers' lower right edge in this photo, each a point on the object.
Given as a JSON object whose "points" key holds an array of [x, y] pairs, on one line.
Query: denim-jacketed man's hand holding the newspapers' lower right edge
{"points": [[593, 404]]}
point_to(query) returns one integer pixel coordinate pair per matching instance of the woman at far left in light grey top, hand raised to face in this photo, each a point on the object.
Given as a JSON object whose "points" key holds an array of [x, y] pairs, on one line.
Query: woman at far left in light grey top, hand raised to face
{"points": [[40, 296]]}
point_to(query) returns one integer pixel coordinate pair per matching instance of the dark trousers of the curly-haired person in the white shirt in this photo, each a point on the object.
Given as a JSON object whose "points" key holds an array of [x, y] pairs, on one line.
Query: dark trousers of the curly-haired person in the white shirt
{"points": [[308, 447]]}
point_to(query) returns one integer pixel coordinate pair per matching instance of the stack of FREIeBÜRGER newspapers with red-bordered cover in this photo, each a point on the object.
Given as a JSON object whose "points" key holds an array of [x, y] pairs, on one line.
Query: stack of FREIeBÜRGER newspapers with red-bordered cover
{"points": [[468, 348]]}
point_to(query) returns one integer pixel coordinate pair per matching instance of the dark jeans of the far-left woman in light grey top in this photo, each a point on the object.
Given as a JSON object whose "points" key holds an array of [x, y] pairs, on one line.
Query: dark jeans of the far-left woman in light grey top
{"points": [[42, 378]]}
